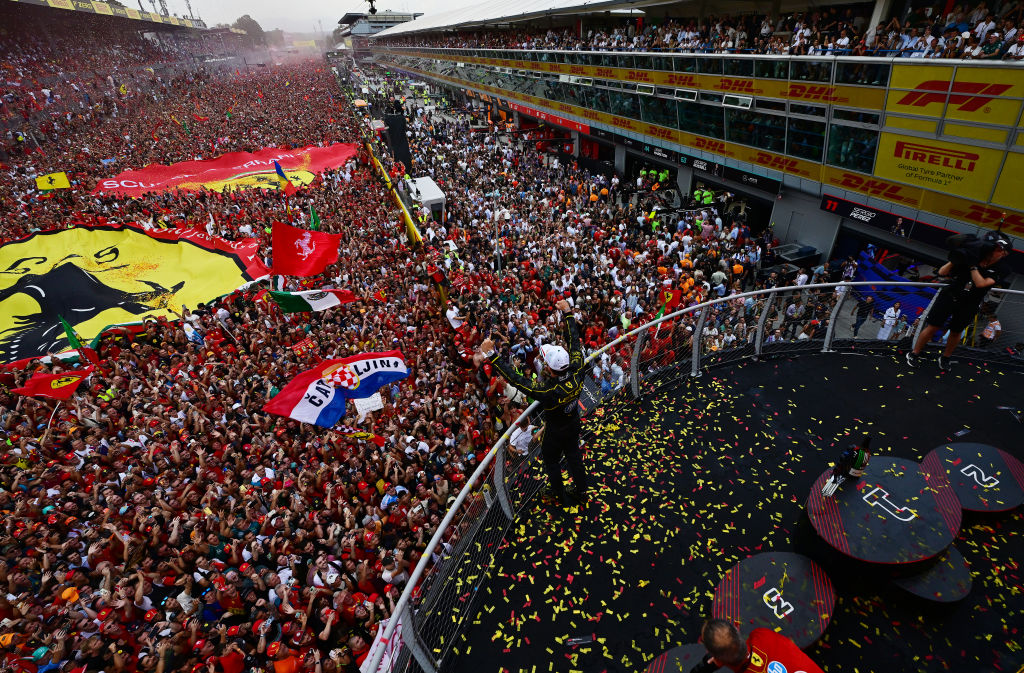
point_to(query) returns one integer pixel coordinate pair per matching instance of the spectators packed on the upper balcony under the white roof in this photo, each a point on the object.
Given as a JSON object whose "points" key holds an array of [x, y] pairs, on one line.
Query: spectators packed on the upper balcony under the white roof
{"points": [[978, 32]]}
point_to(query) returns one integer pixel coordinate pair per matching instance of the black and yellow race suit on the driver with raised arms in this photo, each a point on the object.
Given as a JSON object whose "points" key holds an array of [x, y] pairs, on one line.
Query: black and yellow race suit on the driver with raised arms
{"points": [[560, 400]]}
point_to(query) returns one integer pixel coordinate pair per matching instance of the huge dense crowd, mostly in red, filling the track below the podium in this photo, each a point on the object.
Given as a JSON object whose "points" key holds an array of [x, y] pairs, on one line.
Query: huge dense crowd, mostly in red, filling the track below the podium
{"points": [[161, 521]]}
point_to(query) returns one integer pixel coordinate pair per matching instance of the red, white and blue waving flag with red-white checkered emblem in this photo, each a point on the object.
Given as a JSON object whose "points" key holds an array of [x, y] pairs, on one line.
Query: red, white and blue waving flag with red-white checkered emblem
{"points": [[318, 396]]}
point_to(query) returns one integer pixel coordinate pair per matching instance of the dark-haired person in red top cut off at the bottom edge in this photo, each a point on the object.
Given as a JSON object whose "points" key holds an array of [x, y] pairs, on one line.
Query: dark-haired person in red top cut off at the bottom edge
{"points": [[764, 652]]}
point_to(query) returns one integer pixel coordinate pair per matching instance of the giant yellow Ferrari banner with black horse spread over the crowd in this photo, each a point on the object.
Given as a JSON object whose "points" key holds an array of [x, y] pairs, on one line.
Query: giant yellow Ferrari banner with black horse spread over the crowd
{"points": [[98, 277]]}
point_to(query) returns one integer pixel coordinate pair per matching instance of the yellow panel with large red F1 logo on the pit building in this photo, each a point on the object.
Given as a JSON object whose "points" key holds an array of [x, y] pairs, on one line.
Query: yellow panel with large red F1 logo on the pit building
{"points": [[974, 95]]}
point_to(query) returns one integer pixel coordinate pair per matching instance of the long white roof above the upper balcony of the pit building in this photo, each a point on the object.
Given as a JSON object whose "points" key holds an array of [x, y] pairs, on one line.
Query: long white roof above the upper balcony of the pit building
{"points": [[502, 12]]}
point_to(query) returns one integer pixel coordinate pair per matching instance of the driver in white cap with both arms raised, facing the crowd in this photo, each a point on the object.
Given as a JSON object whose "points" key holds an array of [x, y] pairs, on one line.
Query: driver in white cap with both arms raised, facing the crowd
{"points": [[559, 395]]}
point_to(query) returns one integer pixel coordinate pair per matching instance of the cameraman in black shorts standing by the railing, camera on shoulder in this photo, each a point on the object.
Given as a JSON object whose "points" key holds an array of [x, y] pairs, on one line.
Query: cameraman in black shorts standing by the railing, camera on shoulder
{"points": [[973, 270]]}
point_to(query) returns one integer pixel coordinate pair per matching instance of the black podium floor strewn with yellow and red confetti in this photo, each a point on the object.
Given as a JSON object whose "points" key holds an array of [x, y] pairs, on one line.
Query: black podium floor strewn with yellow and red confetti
{"points": [[719, 469]]}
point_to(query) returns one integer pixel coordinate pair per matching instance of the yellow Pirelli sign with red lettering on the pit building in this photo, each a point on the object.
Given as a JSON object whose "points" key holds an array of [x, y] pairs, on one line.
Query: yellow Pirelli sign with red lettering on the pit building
{"points": [[960, 170]]}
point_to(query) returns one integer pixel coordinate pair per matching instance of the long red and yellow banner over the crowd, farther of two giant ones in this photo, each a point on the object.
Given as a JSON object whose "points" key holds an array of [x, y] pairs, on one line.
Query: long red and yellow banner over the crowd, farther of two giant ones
{"points": [[237, 171]]}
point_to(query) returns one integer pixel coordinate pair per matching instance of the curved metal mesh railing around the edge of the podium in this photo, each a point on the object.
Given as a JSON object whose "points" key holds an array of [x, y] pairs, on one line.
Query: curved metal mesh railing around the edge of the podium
{"points": [[874, 317]]}
